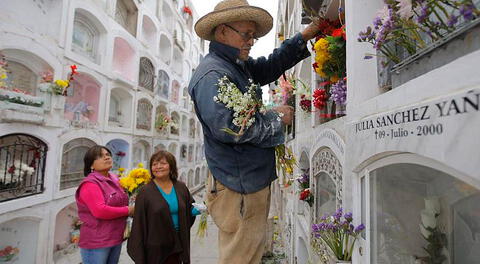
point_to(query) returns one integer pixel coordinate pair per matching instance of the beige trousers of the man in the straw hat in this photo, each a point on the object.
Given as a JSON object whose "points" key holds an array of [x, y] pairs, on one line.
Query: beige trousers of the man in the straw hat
{"points": [[242, 222]]}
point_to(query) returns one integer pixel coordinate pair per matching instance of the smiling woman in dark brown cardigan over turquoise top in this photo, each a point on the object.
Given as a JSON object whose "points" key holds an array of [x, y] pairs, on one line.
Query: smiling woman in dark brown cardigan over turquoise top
{"points": [[163, 216]]}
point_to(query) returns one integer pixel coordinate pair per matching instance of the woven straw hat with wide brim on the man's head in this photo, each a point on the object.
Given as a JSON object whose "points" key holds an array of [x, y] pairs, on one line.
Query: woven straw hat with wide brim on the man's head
{"points": [[230, 11]]}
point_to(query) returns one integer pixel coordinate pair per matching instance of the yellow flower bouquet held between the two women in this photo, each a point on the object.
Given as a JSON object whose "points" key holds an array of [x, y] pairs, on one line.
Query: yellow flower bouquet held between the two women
{"points": [[132, 183]]}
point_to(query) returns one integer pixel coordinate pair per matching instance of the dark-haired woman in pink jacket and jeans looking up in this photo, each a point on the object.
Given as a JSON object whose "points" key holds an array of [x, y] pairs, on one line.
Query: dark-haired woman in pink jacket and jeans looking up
{"points": [[103, 209]]}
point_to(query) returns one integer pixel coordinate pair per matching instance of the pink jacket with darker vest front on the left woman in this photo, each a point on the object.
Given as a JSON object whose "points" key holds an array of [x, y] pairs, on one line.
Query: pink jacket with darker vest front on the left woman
{"points": [[101, 231]]}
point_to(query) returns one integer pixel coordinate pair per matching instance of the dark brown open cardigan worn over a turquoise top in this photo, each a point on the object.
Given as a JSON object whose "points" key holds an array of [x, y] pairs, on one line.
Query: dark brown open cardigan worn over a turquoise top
{"points": [[152, 238]]}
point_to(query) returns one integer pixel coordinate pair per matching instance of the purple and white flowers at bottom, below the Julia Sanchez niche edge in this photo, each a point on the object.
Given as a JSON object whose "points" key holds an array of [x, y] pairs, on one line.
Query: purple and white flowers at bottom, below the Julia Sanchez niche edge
{"points": [[338, 233]]}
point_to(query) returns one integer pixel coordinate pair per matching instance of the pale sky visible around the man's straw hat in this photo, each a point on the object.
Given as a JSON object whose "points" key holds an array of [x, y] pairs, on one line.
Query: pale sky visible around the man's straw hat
{"points": [[265, 45]]}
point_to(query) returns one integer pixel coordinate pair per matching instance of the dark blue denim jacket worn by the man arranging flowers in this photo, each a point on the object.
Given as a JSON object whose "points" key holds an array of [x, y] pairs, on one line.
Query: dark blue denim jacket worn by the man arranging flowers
{"points": [[244, 164]]}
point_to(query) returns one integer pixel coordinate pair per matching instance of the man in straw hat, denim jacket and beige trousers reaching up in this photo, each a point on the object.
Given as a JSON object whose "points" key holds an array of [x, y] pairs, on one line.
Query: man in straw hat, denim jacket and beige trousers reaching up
{"points": [[238, 195]]}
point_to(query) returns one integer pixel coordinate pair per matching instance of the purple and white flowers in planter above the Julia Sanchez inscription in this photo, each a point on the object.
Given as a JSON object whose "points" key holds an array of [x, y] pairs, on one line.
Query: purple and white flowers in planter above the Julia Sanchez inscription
{"points": [[411, 25]]}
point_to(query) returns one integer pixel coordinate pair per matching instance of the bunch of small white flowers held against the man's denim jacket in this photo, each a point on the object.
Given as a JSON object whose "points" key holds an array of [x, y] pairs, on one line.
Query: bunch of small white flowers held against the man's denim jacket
{"points": [[244, 106]]}
